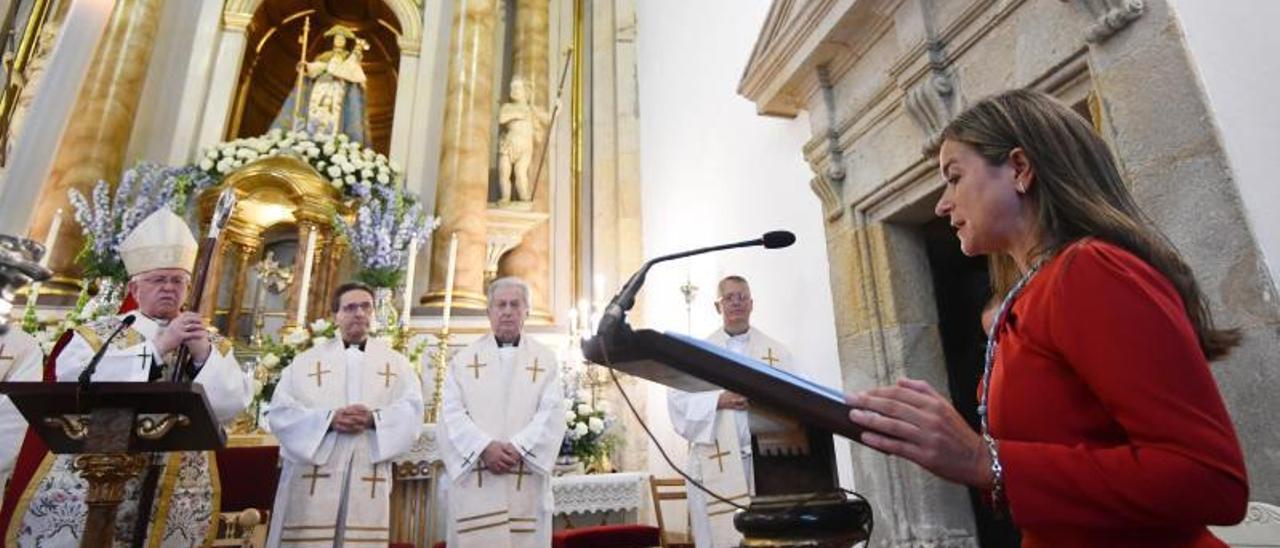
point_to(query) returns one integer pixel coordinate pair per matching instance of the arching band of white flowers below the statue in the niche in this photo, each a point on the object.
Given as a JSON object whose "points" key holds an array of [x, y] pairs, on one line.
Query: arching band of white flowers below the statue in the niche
{"points": [[353, 168]]}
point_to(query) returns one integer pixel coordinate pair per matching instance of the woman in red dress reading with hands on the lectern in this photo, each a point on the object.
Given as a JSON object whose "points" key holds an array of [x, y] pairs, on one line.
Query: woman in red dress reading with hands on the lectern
{"points": [[1101, 423]]}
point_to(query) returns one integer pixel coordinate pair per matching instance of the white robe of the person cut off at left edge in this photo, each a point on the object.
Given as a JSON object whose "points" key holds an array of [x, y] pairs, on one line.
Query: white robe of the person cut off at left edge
{"points": [[21, 360]]}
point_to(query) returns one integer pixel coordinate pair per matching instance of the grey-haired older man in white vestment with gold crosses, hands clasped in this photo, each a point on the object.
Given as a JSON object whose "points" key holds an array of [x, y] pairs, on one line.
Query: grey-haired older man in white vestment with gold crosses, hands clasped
{"points": [[502, 427]]}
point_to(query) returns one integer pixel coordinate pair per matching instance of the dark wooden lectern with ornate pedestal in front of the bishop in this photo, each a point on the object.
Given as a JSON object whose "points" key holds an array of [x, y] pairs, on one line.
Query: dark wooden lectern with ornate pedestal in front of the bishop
{"points": [[113, 427]]}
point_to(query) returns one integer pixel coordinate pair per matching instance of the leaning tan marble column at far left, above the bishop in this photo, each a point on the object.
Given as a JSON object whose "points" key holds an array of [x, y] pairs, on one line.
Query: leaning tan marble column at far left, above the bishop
{"points": [[94, 144]]}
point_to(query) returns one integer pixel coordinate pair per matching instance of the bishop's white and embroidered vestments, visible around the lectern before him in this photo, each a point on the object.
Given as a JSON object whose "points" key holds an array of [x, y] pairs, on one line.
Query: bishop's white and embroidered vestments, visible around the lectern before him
{"points": [[52, 513]]}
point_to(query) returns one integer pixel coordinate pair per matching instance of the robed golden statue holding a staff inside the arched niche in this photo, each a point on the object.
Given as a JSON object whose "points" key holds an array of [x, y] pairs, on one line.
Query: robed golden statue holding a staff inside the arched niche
{"points": [[332, 92]]}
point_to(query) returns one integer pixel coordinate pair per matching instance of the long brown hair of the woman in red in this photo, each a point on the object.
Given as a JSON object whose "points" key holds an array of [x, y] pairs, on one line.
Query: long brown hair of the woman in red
{"points": [[1078, 194]]}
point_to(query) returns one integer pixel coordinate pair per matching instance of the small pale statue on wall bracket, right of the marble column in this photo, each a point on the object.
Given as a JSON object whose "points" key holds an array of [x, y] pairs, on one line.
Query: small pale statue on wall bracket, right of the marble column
{"points": [[520, 122]]}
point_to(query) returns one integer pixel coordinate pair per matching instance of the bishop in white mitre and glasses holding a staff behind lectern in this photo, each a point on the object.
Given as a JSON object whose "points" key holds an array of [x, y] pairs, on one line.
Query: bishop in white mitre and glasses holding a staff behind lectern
{"points": [[51, 510]]}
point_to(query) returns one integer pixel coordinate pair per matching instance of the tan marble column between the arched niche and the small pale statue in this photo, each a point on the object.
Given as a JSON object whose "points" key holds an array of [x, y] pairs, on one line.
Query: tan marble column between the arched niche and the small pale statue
{"points": [[464, 182]]}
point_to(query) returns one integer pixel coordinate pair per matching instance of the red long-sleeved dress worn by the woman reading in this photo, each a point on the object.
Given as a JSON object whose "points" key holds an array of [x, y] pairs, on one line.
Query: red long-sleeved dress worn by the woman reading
{"points": [[1110, 426]]}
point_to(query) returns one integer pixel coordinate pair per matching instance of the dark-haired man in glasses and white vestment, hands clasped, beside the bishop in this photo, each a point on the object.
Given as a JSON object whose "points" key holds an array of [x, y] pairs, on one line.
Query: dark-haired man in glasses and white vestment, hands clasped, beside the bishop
{"points": [[342, 412]]}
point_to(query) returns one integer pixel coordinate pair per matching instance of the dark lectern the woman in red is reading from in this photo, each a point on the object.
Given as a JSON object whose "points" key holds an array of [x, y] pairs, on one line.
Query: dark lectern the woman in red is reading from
{"points": [[798, 501]]}
